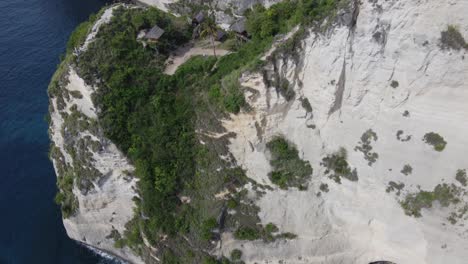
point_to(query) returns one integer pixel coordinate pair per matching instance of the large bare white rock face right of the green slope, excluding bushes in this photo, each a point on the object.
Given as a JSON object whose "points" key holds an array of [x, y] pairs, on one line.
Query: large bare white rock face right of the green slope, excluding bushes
{"points": [[346, 75]]}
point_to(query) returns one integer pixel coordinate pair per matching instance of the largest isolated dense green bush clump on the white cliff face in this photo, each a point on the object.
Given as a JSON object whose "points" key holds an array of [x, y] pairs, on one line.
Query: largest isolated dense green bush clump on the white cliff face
{"points": [[288, 169]]}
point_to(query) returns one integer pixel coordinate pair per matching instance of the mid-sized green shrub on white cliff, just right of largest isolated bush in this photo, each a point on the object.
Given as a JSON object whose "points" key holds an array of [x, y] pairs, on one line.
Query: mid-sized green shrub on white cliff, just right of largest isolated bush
{"points": [[337, 167]]}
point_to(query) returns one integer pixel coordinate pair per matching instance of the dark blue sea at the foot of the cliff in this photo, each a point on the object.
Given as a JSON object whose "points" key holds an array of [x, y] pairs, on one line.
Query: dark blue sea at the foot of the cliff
{"points": [[33, 34]]}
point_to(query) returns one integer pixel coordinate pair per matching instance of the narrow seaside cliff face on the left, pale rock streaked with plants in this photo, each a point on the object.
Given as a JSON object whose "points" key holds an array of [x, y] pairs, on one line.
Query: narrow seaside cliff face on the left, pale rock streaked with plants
{"points": [[96, 180]]}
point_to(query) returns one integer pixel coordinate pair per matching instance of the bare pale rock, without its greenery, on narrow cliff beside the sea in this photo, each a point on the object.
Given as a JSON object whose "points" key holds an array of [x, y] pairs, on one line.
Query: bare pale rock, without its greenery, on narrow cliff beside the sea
{"points": [[109, 205]]}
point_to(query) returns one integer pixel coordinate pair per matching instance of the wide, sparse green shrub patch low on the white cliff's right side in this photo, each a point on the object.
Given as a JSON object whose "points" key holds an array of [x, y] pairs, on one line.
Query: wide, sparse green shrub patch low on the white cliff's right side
{"points": [[443, 193]]}
